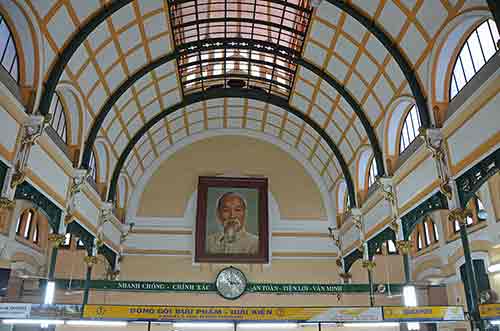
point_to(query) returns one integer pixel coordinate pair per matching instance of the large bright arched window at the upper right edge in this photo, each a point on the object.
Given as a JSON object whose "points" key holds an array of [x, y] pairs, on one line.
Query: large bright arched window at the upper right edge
{"points": [[479, 47]]}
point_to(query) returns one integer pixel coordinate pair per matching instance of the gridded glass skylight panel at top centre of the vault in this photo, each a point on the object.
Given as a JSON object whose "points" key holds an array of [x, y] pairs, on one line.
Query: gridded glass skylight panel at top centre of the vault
{"points": [[242, 43]]}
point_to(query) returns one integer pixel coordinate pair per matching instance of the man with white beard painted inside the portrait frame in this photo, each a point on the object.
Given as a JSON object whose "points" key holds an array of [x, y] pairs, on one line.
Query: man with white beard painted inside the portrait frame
{"points": [[233, 239]]}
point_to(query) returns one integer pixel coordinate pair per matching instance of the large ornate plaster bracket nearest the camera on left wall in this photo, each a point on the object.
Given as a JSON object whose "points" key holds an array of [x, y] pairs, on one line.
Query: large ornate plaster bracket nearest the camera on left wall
{"points": [[32, 130]]}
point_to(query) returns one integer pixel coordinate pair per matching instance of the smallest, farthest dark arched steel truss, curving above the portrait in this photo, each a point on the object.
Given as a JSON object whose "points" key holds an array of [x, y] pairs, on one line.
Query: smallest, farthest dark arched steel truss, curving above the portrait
{"points": [[254, 94]]}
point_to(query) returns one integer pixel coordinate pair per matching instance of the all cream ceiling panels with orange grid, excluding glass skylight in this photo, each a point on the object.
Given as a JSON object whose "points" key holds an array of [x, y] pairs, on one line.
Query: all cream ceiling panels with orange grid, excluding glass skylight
{"points": [[140, 32]]}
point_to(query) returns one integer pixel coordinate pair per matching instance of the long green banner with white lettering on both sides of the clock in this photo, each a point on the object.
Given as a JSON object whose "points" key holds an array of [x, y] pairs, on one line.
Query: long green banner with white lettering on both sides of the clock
{"points": [[153, 286]]}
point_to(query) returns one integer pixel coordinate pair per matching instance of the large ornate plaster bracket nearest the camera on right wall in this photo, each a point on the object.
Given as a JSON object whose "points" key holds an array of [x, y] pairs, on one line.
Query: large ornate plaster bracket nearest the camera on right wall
{"points": [[433, 139]]}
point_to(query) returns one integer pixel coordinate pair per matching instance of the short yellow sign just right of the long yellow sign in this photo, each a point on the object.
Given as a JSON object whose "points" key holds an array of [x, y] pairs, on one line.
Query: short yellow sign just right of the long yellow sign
{"points": [[434, 313]]}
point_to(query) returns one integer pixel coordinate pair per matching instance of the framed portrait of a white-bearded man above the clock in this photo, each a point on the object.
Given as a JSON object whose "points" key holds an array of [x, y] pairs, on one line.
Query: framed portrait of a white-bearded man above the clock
{"points": [[232, 220]]}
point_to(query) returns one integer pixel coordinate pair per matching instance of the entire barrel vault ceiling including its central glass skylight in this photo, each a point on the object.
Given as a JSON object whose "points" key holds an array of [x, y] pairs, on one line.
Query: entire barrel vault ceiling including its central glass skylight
{"points": [[148, 56]]}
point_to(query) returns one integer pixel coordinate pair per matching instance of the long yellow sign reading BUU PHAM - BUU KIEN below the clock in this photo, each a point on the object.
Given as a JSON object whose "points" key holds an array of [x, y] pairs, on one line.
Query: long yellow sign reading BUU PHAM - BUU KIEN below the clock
{"points": [[232, 313]]}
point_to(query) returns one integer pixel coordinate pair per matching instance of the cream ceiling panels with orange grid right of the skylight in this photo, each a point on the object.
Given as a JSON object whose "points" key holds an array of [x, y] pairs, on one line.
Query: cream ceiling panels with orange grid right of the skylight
{"points": [[344, 49]]}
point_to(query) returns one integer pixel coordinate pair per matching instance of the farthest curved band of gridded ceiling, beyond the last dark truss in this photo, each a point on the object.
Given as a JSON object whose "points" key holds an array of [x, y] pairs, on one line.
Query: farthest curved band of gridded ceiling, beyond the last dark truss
{"points": [[241, 114]]}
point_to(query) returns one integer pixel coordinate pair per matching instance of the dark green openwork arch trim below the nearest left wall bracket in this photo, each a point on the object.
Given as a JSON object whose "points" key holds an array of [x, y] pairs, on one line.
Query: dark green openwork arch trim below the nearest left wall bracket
{"points": [[26, 191]]}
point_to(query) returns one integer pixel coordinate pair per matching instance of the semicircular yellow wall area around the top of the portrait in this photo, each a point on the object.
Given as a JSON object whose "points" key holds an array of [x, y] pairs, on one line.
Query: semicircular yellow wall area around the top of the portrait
{"points": [[171, 186]]}
